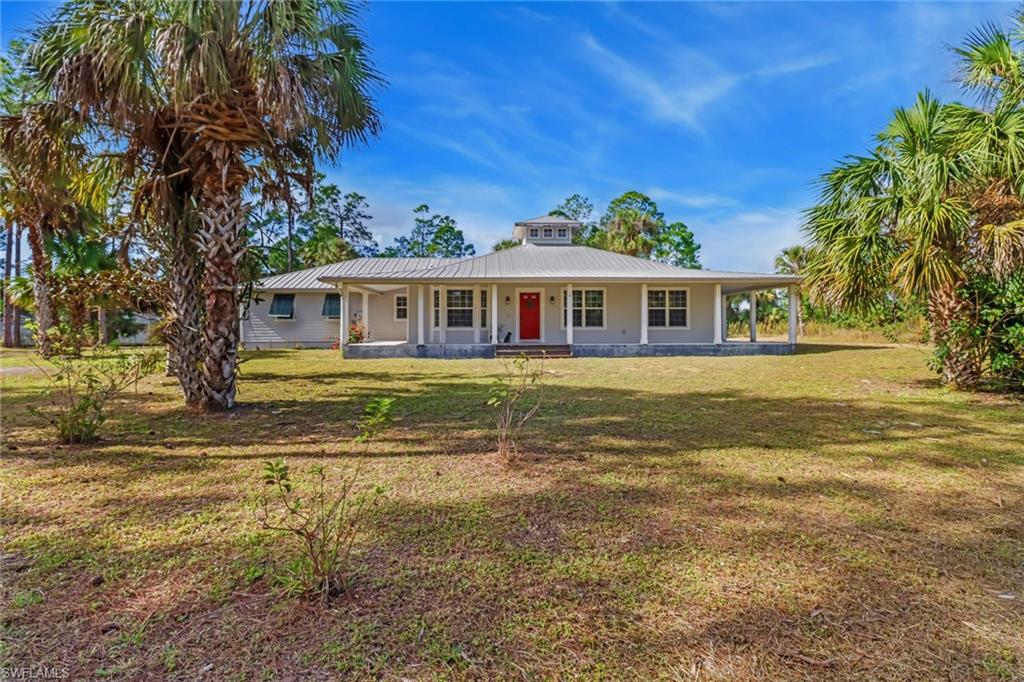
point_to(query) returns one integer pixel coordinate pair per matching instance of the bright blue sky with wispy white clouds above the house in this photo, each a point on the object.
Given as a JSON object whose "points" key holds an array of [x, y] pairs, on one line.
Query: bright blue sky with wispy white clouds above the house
{"points": [[724, 114]]}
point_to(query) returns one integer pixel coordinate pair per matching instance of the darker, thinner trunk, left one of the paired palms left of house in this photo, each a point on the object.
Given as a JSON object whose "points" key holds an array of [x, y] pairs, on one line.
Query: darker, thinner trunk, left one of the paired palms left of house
{"points": [[185, 349]]}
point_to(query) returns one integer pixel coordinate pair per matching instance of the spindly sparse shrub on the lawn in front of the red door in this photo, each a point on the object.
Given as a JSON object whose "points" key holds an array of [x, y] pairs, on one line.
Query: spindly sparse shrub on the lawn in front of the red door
{"points": [[517, 396]]}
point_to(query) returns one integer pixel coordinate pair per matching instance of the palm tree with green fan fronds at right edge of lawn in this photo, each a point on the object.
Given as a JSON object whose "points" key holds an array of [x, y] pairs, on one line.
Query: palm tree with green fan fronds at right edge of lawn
{"points": [[937, 204]]}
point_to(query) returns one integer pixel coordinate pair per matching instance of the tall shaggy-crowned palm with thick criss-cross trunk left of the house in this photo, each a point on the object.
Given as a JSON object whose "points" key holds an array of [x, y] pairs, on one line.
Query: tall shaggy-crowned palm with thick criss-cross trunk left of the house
{"points": [[228, 84]]}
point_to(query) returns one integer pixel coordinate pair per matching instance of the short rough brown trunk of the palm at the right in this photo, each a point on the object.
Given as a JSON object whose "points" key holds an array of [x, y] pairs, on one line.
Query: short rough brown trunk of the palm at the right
{"points": [[961, 360]]}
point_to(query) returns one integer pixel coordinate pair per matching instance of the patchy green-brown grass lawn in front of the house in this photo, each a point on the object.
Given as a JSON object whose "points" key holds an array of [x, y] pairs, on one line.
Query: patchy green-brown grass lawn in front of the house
{"points": [[829, 516]]}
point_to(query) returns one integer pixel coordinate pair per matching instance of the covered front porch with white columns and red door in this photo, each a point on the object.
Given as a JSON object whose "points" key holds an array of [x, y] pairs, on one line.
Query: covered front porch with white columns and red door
{"points": [[473, 320]]}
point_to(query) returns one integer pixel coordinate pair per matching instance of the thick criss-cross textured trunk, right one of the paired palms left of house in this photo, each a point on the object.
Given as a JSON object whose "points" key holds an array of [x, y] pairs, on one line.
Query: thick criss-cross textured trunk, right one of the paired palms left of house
{"points": [[222, 243]]}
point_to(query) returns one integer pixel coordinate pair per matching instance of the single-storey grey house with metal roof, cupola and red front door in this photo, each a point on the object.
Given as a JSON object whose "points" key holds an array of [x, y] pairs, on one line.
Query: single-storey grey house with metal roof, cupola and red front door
{"points": [[520, 299]]}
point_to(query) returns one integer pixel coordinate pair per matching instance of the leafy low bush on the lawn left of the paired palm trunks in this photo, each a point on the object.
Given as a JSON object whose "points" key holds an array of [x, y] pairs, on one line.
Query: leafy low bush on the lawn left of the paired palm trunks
{"points": [[81, 388]]}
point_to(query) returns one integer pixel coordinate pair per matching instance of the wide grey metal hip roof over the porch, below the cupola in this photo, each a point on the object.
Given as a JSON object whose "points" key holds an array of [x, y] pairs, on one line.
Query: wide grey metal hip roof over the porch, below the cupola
{"points": [[537, 263]]}
